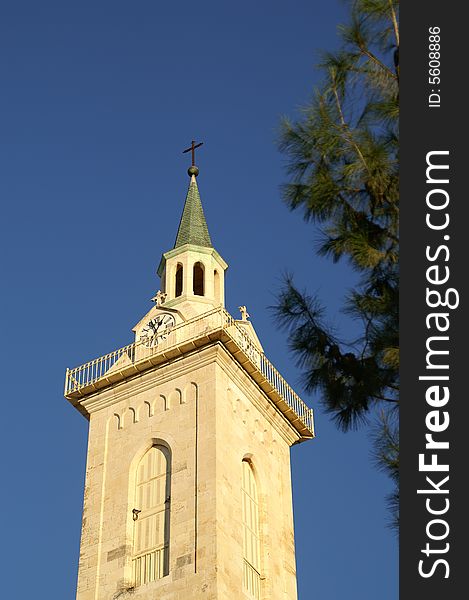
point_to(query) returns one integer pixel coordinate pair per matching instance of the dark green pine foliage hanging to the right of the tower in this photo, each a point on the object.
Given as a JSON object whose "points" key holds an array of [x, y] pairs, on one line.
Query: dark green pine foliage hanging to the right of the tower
{"points": [[344, 160]]}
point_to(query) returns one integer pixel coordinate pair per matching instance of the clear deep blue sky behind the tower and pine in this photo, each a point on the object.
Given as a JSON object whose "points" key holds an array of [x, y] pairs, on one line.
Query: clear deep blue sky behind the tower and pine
{"points": [[97, 101]]}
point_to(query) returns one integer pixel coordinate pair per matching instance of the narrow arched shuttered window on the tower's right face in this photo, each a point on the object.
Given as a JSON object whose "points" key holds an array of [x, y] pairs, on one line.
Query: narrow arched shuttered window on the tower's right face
{"points": [[251, 546]]}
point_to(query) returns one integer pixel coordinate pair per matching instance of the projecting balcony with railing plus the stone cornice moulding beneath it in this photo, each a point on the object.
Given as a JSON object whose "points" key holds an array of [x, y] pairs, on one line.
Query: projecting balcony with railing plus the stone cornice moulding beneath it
{"points": [[188, 340]]}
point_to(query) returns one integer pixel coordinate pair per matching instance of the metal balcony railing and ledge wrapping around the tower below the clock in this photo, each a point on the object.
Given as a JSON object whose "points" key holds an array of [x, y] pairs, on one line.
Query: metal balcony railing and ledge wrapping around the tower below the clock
{"points": [[213, 325]]}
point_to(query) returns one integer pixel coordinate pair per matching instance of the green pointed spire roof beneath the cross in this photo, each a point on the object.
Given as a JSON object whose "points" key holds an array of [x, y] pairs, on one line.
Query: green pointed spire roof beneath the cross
{"points": [[193, 226]]}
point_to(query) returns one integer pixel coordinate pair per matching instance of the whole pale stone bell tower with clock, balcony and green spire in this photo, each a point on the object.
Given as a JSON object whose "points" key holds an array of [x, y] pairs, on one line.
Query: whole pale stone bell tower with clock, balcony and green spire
{"points": [[188, 489]]}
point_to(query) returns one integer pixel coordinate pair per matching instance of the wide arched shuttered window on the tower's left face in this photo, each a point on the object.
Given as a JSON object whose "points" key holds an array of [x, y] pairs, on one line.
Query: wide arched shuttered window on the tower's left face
{"points": [[151, 516]]}
